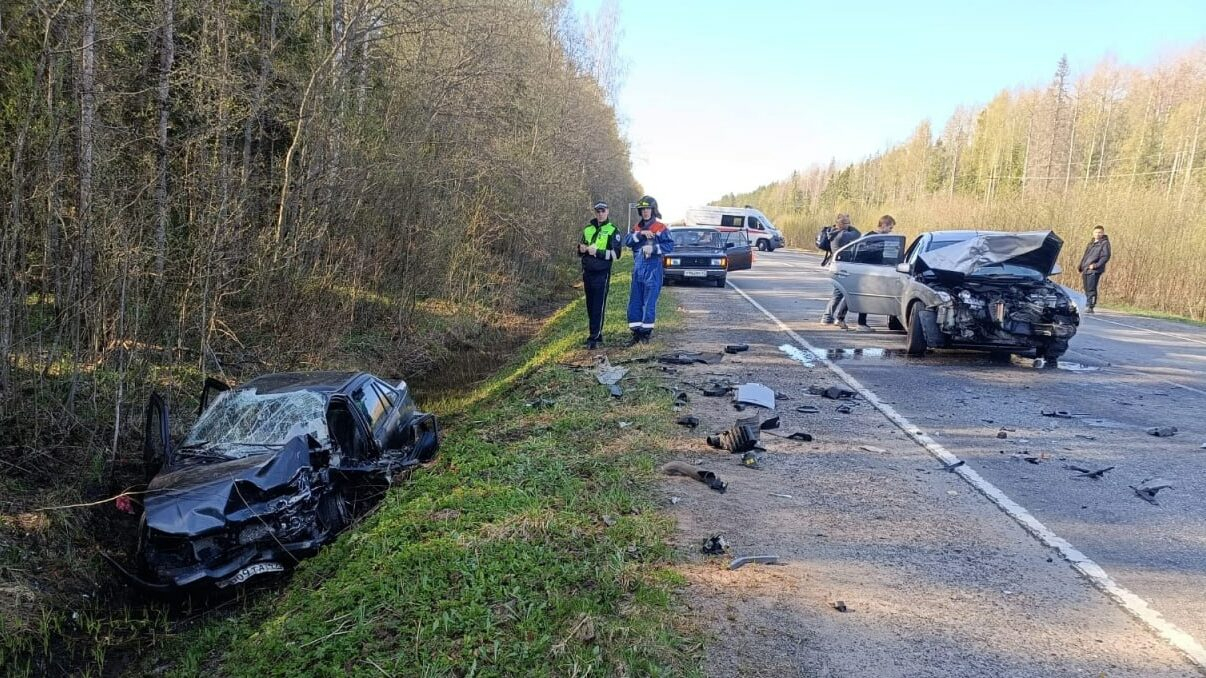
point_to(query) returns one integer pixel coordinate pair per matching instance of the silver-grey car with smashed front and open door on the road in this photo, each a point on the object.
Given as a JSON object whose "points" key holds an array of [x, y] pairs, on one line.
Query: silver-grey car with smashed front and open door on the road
{"points": [[964, 290]]}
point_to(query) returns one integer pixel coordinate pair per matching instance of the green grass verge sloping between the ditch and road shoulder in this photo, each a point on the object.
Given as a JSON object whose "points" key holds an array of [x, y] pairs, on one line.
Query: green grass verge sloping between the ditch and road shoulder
{"points": [[495, 562]]}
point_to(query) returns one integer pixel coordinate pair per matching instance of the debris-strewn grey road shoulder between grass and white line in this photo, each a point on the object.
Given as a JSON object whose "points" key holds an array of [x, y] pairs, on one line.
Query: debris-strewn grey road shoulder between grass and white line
{"points": [[935, 580]]}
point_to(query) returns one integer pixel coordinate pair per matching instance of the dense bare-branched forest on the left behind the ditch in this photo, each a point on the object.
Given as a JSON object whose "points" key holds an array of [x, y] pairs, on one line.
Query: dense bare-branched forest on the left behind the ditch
{"points": [[260, 180]]}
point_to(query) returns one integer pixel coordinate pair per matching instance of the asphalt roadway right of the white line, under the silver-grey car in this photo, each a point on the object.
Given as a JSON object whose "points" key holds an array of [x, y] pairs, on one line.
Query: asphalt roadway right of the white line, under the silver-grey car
{"points": [[1122, 376]]}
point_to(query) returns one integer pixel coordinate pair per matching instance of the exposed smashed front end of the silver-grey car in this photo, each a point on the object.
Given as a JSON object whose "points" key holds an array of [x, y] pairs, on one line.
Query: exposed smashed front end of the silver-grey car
{"points": [[1009, 314]]}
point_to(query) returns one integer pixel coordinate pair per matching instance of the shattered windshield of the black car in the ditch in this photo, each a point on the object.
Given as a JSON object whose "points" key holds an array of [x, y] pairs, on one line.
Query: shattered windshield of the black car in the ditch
{"points": [[247, 419]]}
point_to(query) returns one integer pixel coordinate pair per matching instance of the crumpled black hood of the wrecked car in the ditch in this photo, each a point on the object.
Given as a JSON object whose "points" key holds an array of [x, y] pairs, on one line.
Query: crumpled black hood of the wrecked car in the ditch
{"points": [[196, 499]]}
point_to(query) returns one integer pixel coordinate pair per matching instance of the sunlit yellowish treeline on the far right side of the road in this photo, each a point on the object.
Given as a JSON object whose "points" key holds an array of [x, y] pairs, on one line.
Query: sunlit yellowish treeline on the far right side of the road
{"points": [[1121, 147]]}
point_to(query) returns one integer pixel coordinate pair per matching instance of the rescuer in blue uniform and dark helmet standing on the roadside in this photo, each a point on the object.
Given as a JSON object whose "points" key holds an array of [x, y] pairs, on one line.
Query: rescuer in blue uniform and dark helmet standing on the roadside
{"points": [[649, 241]]}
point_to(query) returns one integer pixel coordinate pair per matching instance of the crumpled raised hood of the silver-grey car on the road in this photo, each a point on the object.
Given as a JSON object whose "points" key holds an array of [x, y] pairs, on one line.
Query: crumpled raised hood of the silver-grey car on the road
{"points": [[1037, 250]]}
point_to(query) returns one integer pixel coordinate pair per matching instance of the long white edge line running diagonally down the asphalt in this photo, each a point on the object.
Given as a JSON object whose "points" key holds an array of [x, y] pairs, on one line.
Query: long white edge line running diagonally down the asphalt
{"points": [[1131, 603]]}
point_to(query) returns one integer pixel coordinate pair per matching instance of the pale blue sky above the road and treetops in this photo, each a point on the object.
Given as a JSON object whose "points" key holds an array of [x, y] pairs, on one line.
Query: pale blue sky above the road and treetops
{"points": [[724, 97]]}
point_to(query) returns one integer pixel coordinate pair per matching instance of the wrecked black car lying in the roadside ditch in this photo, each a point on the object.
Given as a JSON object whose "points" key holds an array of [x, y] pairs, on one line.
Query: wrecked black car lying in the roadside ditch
{"points": [[271, 472]]}
